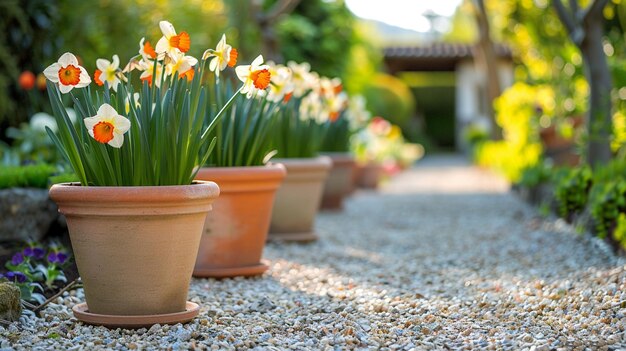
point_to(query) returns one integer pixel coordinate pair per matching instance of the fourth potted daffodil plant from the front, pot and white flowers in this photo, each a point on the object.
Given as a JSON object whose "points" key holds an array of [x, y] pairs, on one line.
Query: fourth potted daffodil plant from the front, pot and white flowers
{"points": [[336, 145]]}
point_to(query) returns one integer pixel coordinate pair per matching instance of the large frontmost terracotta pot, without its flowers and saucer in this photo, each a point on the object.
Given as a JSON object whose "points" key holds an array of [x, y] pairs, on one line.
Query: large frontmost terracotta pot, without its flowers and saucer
{"points": [[135, 247]]}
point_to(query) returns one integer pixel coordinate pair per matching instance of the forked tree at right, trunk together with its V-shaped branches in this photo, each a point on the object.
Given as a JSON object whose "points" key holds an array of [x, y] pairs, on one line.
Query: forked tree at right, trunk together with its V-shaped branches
{"points": [[585, 28]]}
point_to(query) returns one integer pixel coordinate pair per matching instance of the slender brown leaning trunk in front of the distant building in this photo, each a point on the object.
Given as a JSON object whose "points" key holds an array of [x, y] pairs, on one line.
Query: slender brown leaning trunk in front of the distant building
{"points": [[487, 58]]}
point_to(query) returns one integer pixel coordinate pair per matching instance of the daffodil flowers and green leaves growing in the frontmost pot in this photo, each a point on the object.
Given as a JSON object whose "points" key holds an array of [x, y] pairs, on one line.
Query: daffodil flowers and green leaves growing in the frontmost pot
{"points": [[157, 134]]}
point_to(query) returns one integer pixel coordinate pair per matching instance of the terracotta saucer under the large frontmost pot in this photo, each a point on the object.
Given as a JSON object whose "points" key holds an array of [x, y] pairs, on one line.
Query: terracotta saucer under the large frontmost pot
{"points": [[81, 312]]}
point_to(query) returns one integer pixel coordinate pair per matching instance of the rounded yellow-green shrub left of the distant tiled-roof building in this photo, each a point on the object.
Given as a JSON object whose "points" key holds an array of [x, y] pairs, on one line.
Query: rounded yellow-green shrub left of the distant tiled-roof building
{"points": [[390, 97]]}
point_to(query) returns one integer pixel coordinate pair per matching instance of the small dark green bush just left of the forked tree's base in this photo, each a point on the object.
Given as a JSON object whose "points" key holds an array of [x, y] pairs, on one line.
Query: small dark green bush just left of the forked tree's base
{"points": [[572, 191]]}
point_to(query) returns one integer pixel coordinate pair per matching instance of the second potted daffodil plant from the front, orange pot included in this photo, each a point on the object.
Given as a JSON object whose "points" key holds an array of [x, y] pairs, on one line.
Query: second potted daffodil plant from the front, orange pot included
{"points": [[235, 231]]}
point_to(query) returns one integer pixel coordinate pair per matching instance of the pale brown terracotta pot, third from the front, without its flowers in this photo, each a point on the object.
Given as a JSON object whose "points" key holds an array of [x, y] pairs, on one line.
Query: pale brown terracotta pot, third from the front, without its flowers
{"points": [[298, 198]]}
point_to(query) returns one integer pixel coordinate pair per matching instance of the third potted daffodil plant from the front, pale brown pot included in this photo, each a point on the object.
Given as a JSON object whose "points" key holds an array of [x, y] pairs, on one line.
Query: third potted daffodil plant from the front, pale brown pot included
{"points": [[297, 138]]}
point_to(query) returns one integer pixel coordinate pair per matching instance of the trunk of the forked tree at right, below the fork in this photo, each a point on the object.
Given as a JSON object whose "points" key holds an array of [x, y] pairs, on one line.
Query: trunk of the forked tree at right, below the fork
{"points": [[599, 121]]}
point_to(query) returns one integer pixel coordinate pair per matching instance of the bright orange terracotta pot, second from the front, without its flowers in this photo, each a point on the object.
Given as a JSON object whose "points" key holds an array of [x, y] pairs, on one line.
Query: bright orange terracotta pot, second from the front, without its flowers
{"points": [[235, 231]]}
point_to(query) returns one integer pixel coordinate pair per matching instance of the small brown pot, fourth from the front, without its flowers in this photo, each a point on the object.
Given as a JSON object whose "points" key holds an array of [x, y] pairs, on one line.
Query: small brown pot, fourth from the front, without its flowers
{"points": [[340, 181]]}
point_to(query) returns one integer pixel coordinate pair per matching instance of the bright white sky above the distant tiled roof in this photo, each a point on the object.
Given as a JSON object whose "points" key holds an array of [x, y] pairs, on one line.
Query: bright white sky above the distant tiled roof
{"points": [[402, 13]]}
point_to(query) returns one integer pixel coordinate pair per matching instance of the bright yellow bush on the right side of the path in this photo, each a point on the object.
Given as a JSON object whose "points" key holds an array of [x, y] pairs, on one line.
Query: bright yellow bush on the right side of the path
{"points": [[518, 111]]}
